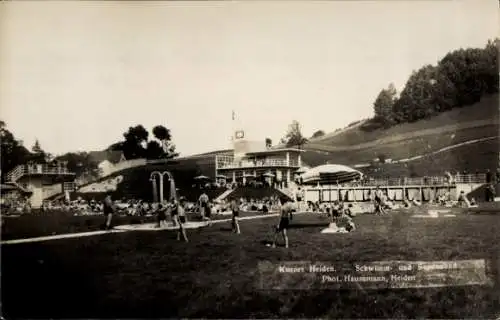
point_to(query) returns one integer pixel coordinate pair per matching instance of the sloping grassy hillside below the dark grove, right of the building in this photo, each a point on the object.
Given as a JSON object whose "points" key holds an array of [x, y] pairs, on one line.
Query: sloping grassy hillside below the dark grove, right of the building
{"points": [[422, 138]]}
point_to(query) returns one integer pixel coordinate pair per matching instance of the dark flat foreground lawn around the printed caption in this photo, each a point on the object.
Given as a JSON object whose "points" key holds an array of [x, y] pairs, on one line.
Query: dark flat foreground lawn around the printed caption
{"points": [[149, 274]]}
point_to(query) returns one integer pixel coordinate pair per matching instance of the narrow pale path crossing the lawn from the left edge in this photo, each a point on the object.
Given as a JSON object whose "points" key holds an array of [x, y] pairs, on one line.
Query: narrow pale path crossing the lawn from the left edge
{"points": [[101, 232]]}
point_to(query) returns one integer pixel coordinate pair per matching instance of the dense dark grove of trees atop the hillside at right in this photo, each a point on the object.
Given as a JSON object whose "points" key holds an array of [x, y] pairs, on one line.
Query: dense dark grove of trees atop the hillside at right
{"points": [[461, 78]]}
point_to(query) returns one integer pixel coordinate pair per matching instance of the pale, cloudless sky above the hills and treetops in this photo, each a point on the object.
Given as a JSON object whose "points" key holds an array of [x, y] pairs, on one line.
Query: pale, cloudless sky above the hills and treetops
{"points": [[76, 75]]}
